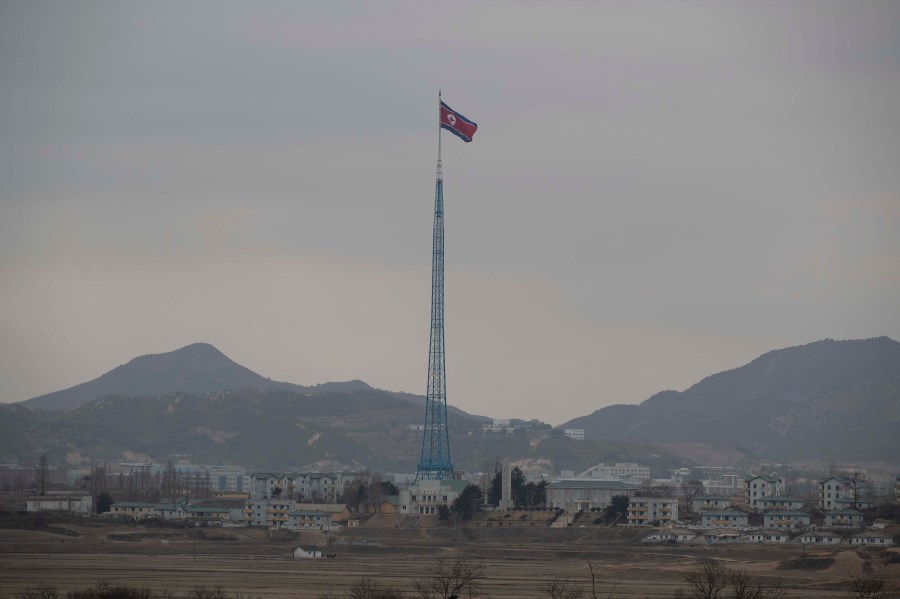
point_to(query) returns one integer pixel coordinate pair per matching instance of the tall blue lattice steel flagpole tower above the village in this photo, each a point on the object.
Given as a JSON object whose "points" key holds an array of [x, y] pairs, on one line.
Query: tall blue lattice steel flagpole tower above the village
{"points": [[434, 463]]}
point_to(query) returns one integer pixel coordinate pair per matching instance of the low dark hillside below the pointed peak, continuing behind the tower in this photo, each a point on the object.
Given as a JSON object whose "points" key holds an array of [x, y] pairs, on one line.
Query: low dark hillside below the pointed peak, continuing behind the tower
{"points": [[283, 430]]}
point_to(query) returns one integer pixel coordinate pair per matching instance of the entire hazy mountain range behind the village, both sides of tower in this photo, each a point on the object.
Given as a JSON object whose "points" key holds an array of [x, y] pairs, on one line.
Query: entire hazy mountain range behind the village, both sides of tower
{"points": [[829, 400]]}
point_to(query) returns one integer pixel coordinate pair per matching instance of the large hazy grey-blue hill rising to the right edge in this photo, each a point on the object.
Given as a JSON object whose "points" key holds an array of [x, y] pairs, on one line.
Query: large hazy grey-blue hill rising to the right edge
{"points": [[833, 400]]}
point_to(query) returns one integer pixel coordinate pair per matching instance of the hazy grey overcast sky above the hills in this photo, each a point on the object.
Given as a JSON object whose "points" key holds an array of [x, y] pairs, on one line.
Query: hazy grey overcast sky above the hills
{"points": [[657, 191]]}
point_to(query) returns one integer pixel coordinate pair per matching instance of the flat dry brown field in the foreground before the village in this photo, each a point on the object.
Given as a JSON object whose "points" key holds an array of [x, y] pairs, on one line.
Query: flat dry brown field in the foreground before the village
{"points": [[515, 562]]}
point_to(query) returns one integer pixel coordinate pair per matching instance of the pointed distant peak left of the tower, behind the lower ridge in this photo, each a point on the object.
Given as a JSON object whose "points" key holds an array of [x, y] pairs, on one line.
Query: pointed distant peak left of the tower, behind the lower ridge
{"points": [[197, 369]]}
